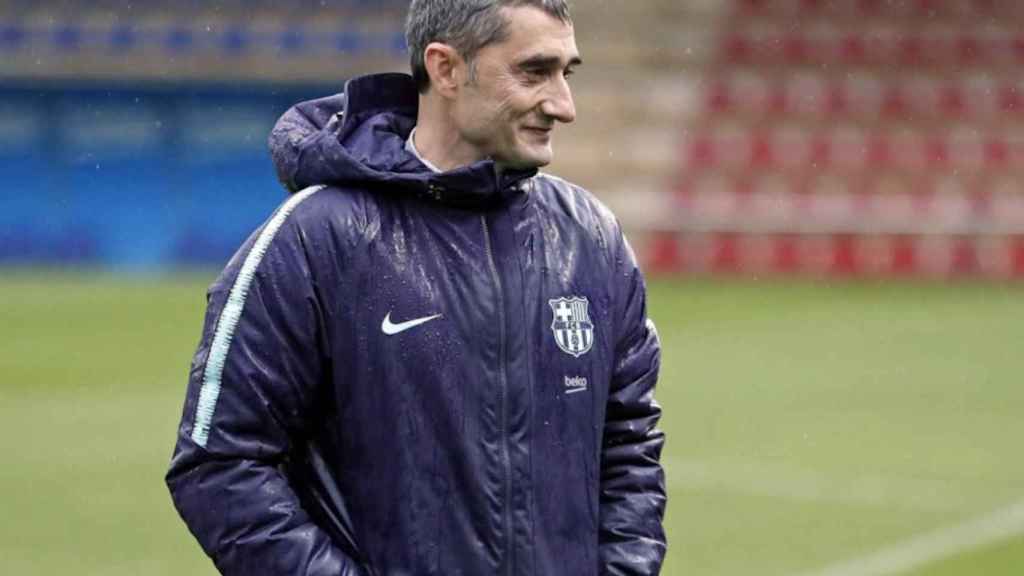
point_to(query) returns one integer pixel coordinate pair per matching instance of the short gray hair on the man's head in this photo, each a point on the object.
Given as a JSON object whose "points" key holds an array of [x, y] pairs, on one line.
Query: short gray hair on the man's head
{"points": [[467, 26]]}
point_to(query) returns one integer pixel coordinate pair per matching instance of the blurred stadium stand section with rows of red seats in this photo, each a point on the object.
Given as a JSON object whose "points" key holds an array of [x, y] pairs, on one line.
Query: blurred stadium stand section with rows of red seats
{"points": [[857, 138]]}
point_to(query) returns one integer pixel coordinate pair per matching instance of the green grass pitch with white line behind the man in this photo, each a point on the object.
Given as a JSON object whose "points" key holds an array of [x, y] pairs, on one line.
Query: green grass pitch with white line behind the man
{"points": [[819, 430]]}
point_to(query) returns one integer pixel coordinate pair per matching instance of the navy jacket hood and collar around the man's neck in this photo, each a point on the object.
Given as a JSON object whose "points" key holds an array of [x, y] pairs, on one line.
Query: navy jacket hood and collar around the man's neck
{"points": [[358, 138]]}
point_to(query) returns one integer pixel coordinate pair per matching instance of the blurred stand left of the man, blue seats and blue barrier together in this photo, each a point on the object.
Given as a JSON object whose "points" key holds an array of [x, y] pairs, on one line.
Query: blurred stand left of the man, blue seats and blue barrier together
{"points": [[134, 136]]}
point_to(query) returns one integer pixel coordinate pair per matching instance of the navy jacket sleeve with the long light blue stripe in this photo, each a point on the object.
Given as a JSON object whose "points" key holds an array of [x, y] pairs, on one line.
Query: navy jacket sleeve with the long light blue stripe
{"points": [[251, 389]]}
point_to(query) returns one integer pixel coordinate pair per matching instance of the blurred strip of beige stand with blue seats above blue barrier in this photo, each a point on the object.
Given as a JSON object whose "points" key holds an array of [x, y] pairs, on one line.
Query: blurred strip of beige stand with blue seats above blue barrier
{"points": [[200, 42]]}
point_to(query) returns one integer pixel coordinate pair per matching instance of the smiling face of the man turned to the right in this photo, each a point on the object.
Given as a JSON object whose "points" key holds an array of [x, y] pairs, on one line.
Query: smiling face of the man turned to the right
{"points": [[508, 110]]}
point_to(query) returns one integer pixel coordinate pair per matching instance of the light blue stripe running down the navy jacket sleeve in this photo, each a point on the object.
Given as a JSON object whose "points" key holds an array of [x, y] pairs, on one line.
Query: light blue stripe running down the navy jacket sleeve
{"points": [[229, 320]]}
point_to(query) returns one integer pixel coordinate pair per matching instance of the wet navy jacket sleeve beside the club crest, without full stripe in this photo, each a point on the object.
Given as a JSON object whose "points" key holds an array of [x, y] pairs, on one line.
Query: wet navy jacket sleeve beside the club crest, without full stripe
{"points": [[633, 499]]}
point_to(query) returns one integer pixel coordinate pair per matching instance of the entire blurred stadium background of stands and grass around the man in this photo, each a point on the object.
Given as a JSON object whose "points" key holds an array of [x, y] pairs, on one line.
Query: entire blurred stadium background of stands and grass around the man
{"points": [[825, 194]]}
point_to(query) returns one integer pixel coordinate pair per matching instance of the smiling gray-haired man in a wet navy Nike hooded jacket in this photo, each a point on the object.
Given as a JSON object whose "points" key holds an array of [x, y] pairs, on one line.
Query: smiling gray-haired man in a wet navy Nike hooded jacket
{"points": [[436, 360]]}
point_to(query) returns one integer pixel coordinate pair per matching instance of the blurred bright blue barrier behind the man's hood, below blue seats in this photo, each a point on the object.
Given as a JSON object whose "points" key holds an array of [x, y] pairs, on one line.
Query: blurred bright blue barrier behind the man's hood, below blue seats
{"points": [[137, 179]]}
